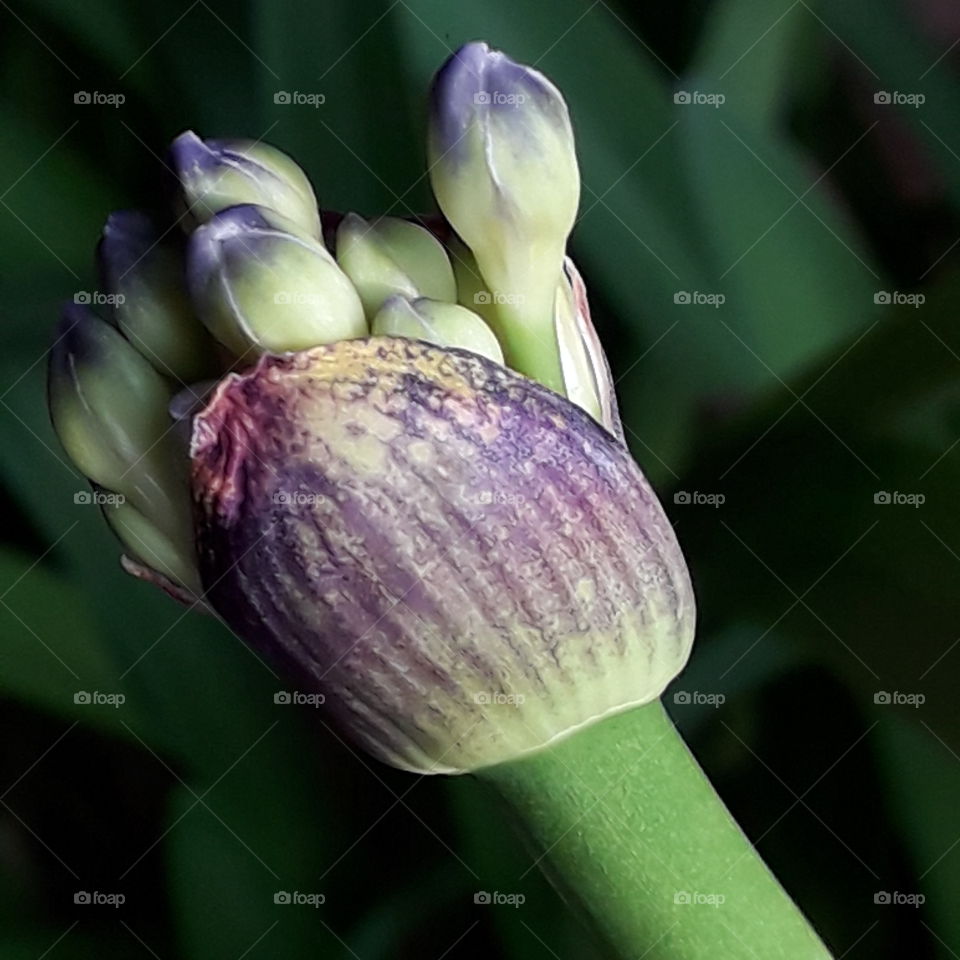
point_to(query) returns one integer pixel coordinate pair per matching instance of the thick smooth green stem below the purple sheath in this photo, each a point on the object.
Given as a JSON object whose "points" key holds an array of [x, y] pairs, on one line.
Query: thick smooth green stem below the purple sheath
{"points": [[627, 825]]}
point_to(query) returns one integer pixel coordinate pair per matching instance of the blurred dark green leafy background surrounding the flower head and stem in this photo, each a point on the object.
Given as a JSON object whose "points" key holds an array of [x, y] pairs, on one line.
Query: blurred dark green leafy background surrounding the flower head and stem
{"points": [[819, 200]]}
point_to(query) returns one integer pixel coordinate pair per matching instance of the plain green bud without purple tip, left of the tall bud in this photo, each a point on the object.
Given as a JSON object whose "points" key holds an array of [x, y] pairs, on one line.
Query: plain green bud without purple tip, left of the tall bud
{"points": [[389, 256]]}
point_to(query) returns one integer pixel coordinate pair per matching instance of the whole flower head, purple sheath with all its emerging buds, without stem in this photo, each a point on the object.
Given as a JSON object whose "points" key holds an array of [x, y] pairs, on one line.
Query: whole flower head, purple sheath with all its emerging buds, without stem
{"points": [[387, 451]]}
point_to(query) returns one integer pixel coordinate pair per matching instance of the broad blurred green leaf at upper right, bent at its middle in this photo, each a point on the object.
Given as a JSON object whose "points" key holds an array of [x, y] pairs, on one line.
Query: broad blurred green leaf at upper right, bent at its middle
{"points": [[796, 277]]}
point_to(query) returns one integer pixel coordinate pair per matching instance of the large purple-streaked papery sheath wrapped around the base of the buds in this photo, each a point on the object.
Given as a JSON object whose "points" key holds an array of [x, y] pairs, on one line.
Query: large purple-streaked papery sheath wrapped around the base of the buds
{"points": [[464, 562]]}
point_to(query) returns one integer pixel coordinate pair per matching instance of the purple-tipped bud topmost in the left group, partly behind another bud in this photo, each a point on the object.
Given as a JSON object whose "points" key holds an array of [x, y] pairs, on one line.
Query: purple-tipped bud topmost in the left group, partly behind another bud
{"points": [[216, 174]]}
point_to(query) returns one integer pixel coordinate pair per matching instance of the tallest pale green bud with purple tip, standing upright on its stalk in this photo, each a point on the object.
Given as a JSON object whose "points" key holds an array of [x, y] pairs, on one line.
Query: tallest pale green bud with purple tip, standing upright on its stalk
{"points": [[504, 171]]}
